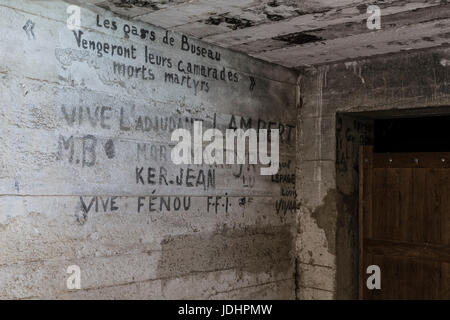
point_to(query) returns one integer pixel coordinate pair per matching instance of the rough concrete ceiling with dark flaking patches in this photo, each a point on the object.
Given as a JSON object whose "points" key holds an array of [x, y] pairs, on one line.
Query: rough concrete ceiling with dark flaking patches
{"points": [[297, 33]]}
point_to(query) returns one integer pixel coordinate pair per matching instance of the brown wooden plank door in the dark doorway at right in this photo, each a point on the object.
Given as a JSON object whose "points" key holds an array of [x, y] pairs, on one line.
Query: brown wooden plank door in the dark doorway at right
{"points": [[404, 224]]}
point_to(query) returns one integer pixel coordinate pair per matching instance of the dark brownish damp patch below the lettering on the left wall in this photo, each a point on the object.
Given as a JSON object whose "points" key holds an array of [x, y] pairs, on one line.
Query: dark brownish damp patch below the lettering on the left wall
{"points": [[251, 249]]}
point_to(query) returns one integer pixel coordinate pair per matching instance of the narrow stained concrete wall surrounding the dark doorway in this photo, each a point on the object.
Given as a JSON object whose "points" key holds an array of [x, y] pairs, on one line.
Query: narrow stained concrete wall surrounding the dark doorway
{"points": [[337, 104]]}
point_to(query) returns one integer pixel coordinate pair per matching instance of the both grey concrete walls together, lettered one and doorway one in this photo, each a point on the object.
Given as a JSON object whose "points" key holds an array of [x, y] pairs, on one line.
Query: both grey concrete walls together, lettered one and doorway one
{"points": [[86, 177]]}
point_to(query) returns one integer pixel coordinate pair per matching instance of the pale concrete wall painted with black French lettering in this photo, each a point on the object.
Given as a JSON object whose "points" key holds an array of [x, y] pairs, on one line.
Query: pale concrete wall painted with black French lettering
{"points": [[77, 132]]}
